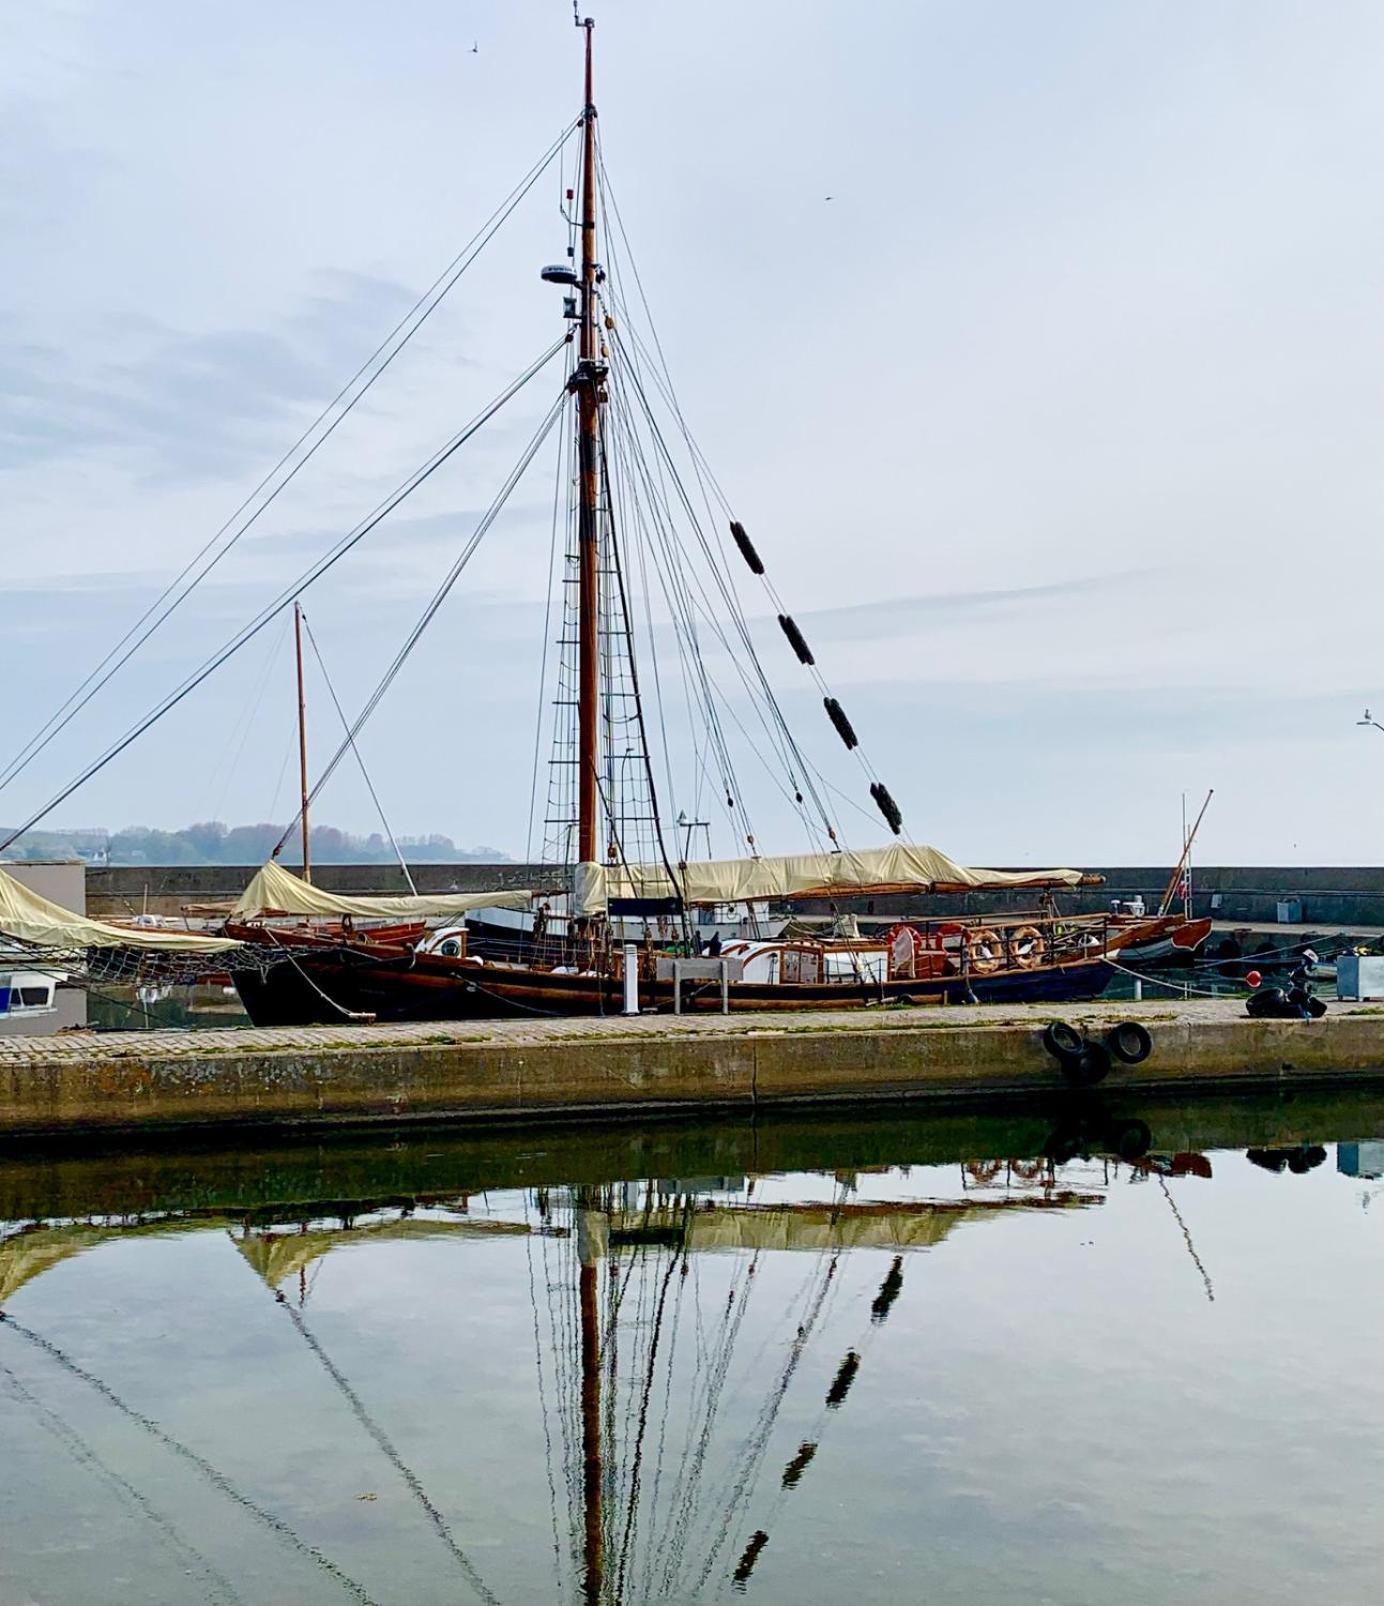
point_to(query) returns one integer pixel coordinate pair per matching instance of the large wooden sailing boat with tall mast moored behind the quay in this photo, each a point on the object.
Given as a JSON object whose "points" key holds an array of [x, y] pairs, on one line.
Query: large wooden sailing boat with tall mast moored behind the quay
{"points": [[624, 937]]}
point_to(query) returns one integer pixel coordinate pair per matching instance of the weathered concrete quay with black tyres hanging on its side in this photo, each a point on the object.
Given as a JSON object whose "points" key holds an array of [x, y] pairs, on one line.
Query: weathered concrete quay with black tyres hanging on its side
{"points": [[558, 1070]]}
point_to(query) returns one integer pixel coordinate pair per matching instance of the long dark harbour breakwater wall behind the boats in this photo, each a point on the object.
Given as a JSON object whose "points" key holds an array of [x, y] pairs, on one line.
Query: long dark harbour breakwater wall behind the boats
{"points": [[1237, 894]]}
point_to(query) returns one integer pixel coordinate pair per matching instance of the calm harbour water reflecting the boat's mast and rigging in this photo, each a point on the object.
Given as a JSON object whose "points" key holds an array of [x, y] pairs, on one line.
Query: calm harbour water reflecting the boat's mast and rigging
{"points": [[892, 1358]]}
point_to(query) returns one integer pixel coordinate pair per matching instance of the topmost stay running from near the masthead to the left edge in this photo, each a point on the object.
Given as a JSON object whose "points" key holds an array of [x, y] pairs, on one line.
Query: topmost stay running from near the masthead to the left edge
{"points": [[429, 303]]}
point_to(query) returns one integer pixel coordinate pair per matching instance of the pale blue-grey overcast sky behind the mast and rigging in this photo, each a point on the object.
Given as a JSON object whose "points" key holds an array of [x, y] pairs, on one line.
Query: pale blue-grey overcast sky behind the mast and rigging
{"points": [[1057, 425]]}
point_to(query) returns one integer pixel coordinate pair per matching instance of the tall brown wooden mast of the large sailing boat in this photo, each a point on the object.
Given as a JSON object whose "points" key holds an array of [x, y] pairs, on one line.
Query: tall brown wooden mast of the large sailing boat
{"points": [[588, 385]]}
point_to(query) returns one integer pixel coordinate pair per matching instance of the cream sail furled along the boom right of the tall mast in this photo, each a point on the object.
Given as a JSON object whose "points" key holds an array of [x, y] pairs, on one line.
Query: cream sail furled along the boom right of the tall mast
{"points": [[911, 866]]}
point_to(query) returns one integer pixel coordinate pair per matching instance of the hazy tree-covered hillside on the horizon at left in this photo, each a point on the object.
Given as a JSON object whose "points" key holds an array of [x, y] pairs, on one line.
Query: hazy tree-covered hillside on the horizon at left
{"points": [[216, 844]]}
